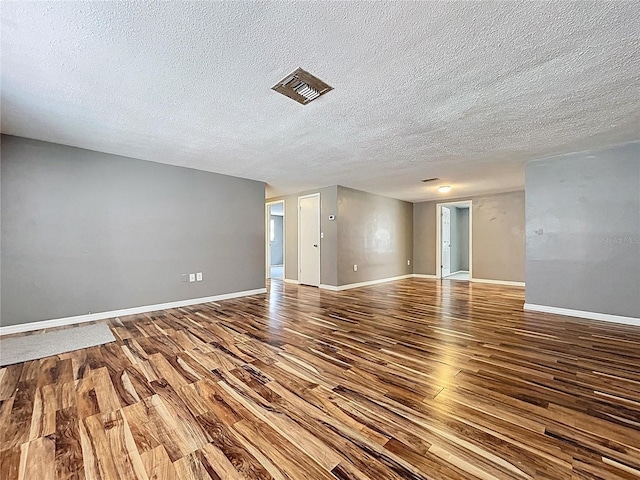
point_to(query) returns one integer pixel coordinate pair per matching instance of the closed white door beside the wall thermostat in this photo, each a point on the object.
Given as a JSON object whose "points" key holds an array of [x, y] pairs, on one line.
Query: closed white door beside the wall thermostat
{"points": [[309, 239]]}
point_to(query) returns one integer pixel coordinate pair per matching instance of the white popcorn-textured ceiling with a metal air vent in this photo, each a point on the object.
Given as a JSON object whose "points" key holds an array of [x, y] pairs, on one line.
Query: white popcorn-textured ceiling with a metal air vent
{"points": [[462, 91]]}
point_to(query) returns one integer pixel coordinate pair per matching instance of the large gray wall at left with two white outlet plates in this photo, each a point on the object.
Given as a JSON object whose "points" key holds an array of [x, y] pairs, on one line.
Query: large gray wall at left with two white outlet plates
{"points": [[87, 232]]}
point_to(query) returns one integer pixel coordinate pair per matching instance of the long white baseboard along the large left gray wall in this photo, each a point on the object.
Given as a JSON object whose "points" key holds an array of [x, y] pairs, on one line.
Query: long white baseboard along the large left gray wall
{"points": [[59, 322]]}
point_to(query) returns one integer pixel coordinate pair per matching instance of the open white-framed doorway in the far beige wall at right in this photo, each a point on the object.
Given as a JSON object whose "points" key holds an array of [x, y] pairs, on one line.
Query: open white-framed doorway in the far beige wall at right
{"points": [[454, 240]]}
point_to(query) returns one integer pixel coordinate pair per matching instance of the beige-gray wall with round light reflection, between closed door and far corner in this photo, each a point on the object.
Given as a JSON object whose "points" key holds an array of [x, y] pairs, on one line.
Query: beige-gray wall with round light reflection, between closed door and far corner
{"points": [[375, 233]]}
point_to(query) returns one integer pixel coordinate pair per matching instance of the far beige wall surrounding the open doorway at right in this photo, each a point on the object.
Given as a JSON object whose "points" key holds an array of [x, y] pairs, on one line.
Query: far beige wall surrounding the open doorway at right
{"points": [[498, 237]]}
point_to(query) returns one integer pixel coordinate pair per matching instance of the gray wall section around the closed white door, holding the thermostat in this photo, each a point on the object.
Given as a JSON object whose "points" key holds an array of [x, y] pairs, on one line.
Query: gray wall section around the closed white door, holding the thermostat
{"points": [[328, 244]]}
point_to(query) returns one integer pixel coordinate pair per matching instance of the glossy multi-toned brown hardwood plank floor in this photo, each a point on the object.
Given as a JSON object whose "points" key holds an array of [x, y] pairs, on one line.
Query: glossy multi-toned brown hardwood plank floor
{"points": [[413, 379]]}
